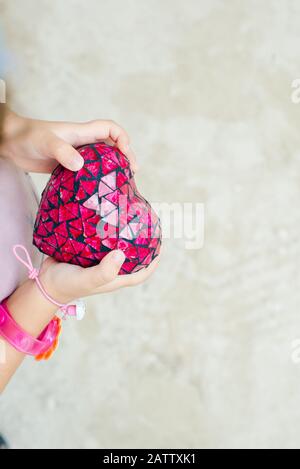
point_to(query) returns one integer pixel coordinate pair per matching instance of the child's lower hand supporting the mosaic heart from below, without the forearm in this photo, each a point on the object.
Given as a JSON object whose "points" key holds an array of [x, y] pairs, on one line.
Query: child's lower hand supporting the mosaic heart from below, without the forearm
{"points": [[66, 282]]}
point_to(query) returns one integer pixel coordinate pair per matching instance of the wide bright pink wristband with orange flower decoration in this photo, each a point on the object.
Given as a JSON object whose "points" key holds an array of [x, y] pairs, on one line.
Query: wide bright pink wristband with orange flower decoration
{"points": [[41, 348]]}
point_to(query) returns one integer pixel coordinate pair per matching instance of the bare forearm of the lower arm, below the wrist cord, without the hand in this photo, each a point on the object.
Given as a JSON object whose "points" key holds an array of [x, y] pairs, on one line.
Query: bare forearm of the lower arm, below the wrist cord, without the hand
{"points": [[32, 312]]}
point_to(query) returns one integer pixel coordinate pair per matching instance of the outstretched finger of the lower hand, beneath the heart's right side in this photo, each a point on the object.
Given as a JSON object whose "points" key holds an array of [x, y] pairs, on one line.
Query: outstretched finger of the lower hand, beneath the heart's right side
{"points": [[130, 280]]}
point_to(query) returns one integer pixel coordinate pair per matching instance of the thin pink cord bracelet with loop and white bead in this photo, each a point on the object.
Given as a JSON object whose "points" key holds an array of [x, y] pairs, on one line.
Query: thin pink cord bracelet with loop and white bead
{"points": [[77, 309]]}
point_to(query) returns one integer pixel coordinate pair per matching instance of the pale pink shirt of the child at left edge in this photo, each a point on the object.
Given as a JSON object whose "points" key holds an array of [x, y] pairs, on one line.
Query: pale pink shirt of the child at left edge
{"points": [[18, 205]]}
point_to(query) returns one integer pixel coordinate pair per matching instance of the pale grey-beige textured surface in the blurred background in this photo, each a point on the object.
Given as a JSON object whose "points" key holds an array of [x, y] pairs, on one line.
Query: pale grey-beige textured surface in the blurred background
{"points": [[199, 356]]}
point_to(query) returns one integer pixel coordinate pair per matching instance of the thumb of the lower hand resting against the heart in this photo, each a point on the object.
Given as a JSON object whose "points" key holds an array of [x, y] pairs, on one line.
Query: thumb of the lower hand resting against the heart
{"points": [[105, 272]]}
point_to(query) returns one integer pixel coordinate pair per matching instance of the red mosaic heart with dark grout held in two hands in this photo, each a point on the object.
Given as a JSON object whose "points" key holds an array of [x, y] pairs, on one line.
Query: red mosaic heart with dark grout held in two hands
{"points": [[84, 215]]}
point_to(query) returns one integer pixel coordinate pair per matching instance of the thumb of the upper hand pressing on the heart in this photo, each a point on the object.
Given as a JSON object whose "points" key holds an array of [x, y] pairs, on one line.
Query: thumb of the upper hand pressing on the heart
{"points": [[65, 154]]}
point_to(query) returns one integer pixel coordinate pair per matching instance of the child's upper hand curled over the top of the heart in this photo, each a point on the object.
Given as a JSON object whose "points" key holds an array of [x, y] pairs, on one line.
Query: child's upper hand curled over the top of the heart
{"points": [[38, 146]]}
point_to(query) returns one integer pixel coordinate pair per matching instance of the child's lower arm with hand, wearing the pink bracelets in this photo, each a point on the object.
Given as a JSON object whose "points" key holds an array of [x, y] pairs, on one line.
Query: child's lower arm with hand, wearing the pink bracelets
{"points": [[64, 282]]}
